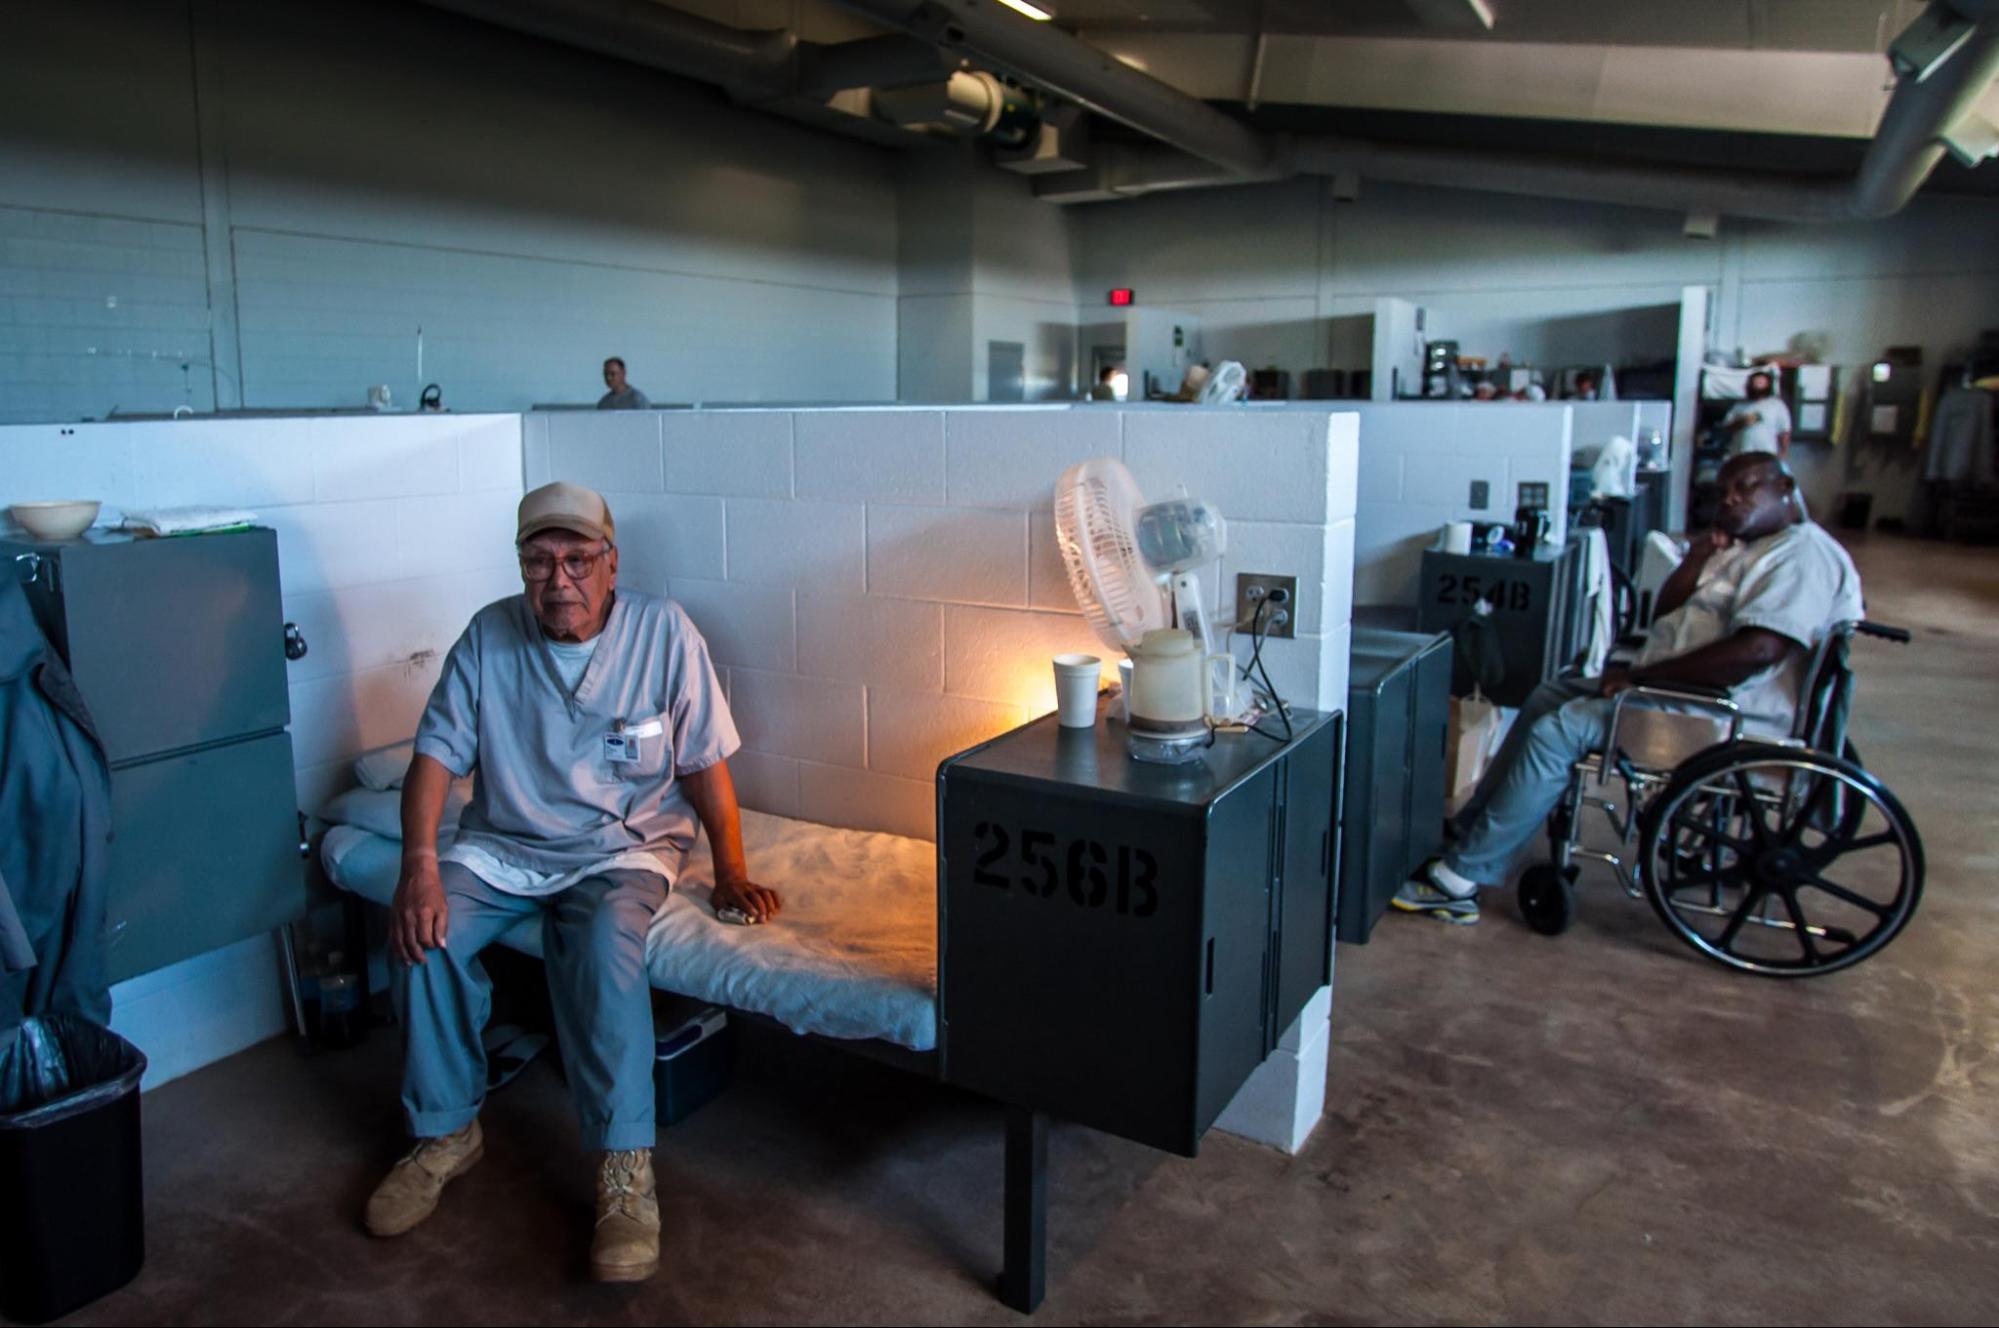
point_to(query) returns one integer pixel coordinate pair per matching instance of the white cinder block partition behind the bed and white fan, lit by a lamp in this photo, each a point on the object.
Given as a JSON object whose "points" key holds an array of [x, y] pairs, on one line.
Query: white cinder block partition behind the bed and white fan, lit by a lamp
{"points": [[883, 587]]}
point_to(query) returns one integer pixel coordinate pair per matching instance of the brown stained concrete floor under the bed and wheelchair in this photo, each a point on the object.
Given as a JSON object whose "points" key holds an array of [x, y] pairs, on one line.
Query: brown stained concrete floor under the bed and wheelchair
{"points": [[1594, 1129]]}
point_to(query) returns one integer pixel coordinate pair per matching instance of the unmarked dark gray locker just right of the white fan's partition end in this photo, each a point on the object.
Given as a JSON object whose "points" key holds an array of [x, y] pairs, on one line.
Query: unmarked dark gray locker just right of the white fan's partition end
{"points": [[1398, 725]]}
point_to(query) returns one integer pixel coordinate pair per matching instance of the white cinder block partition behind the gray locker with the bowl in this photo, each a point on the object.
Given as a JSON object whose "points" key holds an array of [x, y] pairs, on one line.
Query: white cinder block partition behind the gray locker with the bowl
{"points": [[391, 535]]}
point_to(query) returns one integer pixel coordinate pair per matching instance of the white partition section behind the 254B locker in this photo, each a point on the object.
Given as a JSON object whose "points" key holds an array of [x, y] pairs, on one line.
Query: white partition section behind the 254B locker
{"points": [[1416, 471]]}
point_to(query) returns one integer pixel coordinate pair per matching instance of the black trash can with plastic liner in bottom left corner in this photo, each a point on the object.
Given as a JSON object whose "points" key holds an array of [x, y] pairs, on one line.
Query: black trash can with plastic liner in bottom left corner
{"points": [[73, 1211]]}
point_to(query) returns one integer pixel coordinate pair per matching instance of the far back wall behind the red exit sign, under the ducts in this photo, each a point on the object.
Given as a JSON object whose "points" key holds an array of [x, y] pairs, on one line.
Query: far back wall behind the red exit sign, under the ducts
{"points": [[1276, 271]]}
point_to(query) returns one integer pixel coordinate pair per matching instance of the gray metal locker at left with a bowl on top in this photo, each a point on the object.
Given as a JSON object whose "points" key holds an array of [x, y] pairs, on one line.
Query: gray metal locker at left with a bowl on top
{"points": [[179, 651]]}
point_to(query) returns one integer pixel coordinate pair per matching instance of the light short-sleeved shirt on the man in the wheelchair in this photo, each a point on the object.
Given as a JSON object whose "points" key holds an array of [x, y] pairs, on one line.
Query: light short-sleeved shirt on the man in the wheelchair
{"points": [[1796, 583]]}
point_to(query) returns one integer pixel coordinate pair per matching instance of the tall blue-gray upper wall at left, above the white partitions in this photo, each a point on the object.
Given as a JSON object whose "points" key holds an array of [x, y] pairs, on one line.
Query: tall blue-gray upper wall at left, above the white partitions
{"points": [[291, 191]]}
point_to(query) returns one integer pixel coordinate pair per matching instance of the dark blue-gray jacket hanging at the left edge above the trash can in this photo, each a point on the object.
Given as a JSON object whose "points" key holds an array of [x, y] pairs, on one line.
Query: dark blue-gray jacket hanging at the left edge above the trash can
{"points": [[55, 829]]}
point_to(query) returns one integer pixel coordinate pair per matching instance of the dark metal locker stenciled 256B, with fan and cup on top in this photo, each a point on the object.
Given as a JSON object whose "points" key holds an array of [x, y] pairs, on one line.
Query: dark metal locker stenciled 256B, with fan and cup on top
{"points": [[1120, 943]]}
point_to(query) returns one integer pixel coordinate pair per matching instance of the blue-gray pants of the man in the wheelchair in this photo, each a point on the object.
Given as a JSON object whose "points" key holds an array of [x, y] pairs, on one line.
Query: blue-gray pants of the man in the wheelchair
{"points": [[1560, 723]]}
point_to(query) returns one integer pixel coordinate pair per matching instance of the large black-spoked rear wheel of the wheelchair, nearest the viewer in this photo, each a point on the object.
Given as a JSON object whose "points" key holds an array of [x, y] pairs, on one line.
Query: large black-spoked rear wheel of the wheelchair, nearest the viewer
{"points": [[1780, 861]]}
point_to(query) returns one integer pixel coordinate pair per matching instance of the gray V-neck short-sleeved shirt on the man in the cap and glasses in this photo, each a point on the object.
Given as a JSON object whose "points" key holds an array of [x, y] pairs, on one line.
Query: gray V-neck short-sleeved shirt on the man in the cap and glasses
{"points": [[549, 801]]}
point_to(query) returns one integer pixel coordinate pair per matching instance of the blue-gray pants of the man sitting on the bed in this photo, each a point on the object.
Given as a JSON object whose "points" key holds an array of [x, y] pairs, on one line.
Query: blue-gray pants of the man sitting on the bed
{"points": [[595, 949]]}
